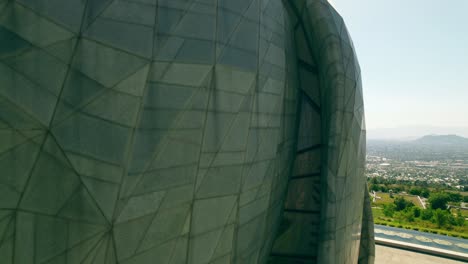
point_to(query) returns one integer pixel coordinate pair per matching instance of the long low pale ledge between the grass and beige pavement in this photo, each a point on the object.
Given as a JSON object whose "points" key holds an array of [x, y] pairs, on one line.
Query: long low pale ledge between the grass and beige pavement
{"points": [[422, 249]]}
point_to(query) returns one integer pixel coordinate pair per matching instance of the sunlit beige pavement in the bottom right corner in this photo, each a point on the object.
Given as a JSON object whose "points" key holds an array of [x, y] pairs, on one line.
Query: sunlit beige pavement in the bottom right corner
{"points": [[388, 255]]}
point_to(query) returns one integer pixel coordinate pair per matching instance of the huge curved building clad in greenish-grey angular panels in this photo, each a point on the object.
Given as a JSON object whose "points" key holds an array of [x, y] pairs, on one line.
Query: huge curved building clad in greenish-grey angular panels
{"points": [[180, 131]]}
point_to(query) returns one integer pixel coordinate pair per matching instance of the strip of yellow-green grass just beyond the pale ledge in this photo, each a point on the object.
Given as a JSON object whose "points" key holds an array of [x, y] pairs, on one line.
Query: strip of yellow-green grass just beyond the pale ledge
{"points": [[418, 225]]}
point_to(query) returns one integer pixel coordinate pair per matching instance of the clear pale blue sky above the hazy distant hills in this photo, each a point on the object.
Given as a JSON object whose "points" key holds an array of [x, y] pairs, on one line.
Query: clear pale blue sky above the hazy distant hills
{"points": [[414, 60]]}
